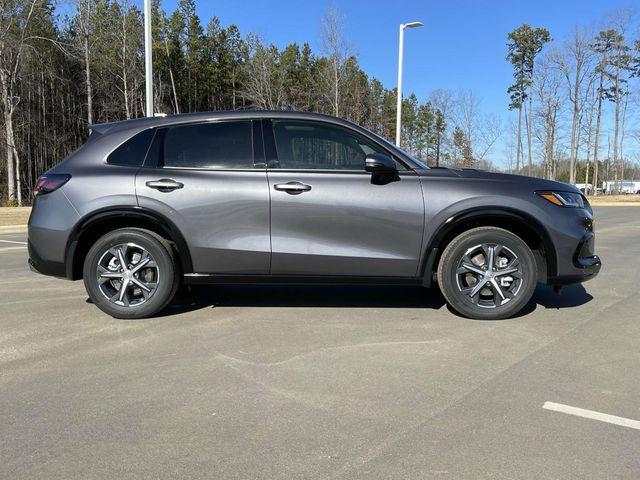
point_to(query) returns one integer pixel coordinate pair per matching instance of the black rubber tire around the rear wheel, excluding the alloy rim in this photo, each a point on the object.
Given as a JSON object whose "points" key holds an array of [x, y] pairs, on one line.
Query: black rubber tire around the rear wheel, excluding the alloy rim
{"points": [[166, 266]]}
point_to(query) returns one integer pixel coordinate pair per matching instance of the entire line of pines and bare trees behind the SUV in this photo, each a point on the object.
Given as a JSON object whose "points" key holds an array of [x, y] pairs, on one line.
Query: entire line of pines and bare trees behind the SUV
{"points": [[63, 70]]}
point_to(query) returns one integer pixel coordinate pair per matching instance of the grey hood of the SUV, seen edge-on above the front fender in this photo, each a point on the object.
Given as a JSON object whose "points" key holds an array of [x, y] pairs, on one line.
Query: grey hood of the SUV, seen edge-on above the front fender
{"points": [[476, 174]]}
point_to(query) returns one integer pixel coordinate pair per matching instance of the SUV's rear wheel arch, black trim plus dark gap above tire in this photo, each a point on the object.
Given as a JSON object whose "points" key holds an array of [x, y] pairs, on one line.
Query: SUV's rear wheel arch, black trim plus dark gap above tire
{"points": [[96, 224]]}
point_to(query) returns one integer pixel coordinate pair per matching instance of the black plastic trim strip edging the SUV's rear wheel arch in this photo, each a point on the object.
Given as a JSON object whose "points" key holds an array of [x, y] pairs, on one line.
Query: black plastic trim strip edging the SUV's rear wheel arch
{"points": [[132, 212]]}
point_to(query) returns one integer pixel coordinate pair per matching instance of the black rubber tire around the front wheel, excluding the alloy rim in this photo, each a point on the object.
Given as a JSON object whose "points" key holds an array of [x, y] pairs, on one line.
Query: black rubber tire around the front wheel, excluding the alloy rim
{"points": [[449, 264]]}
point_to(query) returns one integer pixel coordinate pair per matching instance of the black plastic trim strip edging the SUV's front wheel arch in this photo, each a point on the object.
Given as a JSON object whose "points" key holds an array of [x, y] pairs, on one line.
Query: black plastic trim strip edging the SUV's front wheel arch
{"points": [[505, 213]]}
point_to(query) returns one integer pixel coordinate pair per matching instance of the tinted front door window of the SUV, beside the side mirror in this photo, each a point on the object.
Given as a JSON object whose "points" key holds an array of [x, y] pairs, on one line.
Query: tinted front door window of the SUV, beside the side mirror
{"points": [[311, 145]]}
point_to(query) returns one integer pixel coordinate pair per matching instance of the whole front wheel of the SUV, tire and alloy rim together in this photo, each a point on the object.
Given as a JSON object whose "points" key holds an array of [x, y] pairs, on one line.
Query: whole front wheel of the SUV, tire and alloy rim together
{"points": [[474, 293]]}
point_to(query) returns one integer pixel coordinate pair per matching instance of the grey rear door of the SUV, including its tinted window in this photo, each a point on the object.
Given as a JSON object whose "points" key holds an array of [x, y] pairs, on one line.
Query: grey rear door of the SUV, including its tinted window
{"points": [[206, 179]]}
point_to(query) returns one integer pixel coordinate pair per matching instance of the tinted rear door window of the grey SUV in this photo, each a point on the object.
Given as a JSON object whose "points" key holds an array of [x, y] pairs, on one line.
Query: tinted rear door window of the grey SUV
{"points": [[209, 145]]}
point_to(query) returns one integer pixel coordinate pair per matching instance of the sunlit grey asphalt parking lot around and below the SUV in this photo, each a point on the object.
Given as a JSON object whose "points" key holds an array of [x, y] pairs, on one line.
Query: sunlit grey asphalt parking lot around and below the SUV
{"points": [[322, 382]]}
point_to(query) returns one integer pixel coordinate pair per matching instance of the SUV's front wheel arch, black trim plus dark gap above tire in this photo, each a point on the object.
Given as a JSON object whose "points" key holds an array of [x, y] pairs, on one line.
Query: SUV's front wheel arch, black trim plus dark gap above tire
{"points": [[520, 223]]}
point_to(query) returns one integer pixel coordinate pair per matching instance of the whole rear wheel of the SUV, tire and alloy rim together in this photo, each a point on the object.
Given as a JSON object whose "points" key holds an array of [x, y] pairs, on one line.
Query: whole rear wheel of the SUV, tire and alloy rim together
{"points": [[103, 274]]}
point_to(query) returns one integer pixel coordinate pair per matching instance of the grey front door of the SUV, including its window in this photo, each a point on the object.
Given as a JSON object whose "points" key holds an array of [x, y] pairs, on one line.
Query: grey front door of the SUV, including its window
{"points": [[328, 215]]}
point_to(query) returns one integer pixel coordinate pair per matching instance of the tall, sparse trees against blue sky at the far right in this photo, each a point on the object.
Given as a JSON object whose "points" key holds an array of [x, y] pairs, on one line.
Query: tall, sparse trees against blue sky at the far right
{"points": [[578, 97]]}
